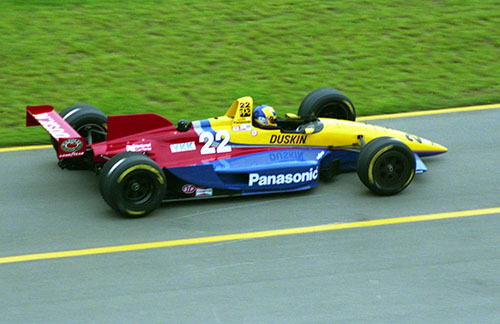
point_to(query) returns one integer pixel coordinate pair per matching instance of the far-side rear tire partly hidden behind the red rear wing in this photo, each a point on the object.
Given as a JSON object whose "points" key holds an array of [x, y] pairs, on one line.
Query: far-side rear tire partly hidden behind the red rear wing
{"points": [[88, 121]]}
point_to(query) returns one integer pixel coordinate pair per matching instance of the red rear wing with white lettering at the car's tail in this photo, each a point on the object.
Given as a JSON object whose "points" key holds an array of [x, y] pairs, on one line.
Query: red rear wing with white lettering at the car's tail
{"points": [[69, 143]]}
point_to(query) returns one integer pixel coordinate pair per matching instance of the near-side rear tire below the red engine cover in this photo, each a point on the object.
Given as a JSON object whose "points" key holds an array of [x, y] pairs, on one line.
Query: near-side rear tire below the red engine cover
{"points": [[132, 184]]}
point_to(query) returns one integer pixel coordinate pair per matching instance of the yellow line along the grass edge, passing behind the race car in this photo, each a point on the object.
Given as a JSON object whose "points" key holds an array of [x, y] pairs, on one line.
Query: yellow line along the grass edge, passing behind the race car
{"points": [[366, 118]]}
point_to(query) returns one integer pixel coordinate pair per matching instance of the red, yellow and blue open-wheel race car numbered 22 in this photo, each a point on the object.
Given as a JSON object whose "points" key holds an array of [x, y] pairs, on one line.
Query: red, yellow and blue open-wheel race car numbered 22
{"points": [[144, 159]]}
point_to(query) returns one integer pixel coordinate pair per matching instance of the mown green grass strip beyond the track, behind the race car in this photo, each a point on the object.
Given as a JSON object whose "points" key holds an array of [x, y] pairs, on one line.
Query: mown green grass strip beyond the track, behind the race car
{"points": [[192, 58]]}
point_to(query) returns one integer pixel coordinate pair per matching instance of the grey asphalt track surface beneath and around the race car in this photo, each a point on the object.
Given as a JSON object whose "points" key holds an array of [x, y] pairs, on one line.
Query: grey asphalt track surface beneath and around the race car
{"points": [[334, 254]]}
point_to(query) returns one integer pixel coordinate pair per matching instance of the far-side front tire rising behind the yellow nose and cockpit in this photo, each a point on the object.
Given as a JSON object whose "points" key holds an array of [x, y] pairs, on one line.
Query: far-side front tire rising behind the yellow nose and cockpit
{"points": [[328, 103]]}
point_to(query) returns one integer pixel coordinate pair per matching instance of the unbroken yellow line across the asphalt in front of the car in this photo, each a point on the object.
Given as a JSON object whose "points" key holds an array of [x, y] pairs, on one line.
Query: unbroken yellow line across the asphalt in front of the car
{"points": [[246, 236]]}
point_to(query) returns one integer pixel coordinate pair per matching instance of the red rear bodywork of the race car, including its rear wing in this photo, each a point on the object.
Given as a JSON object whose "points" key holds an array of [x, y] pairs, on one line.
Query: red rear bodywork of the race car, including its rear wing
{"points": [[146, 133]]}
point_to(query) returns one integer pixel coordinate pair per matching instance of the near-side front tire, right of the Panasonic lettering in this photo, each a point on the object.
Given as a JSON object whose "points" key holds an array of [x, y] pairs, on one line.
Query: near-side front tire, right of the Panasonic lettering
{"points": [[386, 166]]}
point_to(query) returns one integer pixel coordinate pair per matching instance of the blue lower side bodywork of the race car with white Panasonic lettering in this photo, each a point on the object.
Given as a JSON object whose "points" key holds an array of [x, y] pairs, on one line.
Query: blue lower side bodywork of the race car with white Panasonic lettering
{"points": [[270, 171]]}
